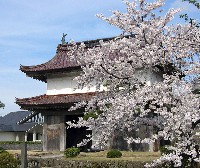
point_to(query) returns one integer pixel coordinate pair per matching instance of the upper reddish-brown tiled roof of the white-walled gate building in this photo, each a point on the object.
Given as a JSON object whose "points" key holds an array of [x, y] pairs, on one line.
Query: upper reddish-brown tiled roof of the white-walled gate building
{"points": [[61, 62]]}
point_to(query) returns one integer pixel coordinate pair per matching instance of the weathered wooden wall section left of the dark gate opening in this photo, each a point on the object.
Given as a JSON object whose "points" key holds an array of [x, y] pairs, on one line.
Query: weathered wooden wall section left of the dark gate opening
{"points": [[54, 134]]}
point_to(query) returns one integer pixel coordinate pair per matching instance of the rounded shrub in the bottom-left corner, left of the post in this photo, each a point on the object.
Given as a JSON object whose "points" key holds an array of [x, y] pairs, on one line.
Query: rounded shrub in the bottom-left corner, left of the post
{"points": [[7, 160]]}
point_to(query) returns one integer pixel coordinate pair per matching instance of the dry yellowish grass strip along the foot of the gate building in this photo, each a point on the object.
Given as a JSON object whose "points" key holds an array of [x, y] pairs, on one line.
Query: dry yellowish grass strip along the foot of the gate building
{"points": [[97, 156]]}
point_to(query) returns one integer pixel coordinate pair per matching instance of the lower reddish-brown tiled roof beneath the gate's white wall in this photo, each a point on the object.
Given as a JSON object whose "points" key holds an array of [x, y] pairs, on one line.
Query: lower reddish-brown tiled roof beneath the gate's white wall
{"points": [[53, 100]]}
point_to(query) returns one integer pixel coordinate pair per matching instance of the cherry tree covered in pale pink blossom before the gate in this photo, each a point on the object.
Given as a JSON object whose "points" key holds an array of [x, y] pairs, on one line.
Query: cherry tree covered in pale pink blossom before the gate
{"points": [[122, 70]]}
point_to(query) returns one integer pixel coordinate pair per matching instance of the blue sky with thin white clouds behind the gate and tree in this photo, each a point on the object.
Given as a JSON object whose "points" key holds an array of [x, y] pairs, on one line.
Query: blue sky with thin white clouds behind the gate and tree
{"points": [[31, 30]]}
